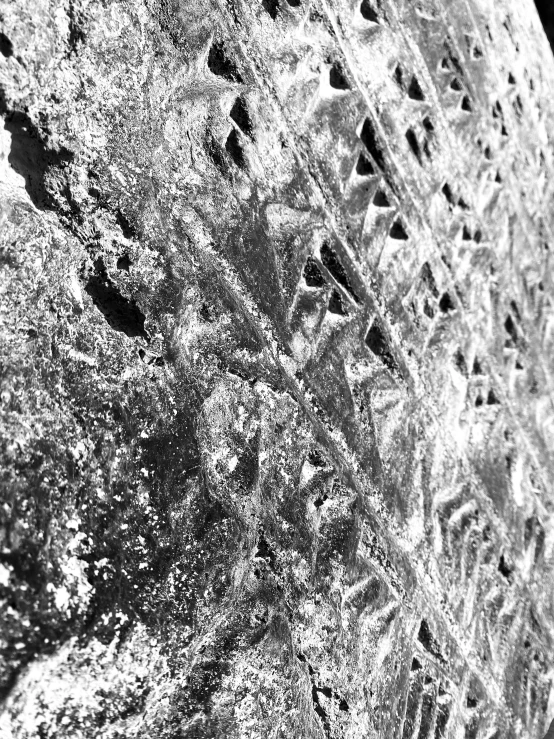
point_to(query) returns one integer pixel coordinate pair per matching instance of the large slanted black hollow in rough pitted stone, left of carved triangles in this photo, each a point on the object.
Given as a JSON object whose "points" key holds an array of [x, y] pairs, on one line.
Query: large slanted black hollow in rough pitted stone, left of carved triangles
{"points": [[121, 313]]}
